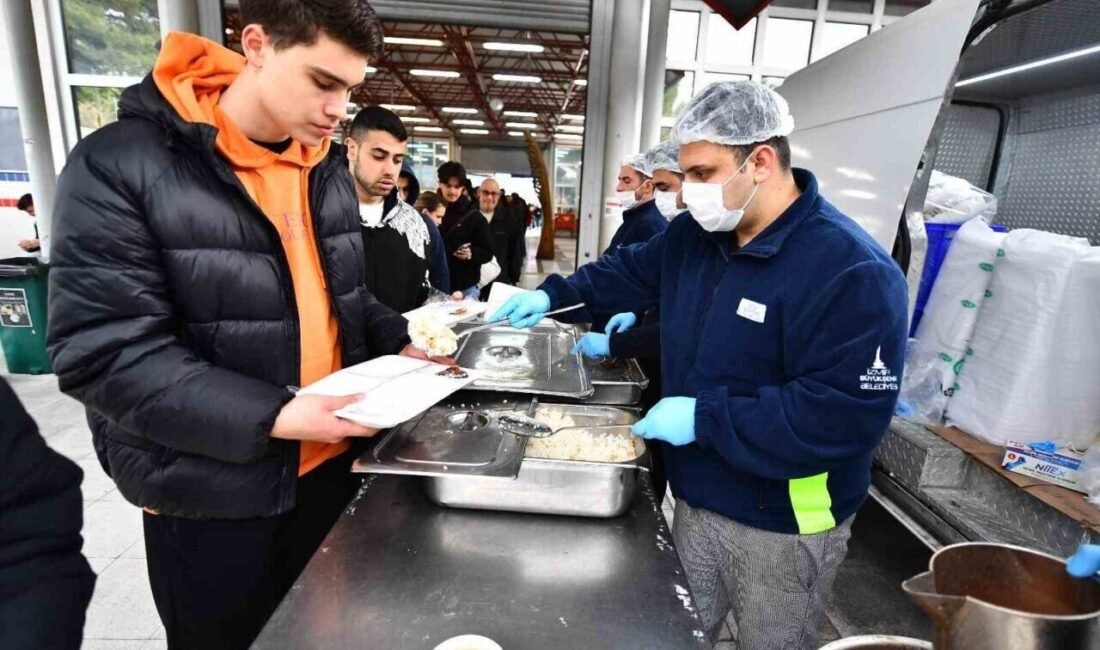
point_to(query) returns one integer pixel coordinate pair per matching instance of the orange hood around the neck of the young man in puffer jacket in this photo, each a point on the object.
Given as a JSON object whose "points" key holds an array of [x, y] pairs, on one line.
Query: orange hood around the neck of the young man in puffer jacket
{"points": [[192, 73]]}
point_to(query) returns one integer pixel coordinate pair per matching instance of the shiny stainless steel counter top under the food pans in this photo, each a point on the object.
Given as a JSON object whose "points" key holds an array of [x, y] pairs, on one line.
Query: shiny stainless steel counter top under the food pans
{"points": [[400, 572]]}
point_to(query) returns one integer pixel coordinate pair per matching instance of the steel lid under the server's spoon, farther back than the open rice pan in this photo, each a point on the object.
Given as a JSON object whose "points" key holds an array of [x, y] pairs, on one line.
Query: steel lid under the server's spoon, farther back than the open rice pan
{"points": [[535, 361]]}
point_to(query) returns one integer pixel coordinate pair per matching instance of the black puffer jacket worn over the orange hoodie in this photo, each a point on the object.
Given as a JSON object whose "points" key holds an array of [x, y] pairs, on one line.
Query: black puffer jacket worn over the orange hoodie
{"points": [[173, 316]]}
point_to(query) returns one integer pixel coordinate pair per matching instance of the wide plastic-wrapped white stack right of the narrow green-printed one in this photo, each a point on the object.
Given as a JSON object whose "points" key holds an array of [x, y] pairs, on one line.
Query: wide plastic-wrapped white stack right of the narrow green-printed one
{"points": [[1014, 387]]}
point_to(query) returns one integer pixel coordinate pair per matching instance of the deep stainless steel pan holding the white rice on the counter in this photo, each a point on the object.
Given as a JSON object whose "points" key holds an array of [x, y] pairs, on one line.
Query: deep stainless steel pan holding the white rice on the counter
{"points": [[554, 487]]}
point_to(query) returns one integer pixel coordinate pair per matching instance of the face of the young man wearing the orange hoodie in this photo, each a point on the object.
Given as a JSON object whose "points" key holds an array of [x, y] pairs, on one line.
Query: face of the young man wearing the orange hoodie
{"points": [[304, 90]]}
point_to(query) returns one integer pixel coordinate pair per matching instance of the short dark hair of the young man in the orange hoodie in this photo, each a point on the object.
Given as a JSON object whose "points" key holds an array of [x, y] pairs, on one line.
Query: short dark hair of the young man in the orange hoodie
{"points": [[299, 23]]}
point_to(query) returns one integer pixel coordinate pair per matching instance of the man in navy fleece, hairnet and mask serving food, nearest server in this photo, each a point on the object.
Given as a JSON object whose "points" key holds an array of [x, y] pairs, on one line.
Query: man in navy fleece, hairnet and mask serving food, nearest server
{"points": [[784, 328]]}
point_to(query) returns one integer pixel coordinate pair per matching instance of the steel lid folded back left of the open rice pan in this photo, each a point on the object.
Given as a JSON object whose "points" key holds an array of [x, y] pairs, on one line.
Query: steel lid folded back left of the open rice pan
{"points": [[460, 437]]}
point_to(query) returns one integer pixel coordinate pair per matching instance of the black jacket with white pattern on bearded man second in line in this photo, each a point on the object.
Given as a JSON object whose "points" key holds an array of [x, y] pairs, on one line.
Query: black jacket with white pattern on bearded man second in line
{"points": [[395, 273]]}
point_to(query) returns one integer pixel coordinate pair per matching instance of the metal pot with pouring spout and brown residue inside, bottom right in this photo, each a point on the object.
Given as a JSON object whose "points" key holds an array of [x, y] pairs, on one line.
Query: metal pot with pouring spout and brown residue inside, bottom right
{"points": [[988, 597]]}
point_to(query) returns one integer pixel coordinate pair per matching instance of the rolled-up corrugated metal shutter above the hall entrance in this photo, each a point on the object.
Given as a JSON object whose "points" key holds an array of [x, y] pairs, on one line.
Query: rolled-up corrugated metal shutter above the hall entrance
{"points": [[559, 16]]}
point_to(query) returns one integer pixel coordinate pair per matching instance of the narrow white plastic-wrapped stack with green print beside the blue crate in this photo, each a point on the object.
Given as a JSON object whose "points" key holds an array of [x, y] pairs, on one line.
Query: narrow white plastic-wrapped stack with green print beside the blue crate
{"points": [[961, 288]]}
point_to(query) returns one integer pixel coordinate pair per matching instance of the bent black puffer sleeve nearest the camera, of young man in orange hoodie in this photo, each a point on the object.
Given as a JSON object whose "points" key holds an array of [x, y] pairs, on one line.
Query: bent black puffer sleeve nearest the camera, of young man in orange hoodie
{"points": [[113, 334]]}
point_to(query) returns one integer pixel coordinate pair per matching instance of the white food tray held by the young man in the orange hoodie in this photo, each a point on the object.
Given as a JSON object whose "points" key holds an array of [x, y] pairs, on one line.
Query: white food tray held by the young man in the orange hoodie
{"points": [[398, 389]]}
